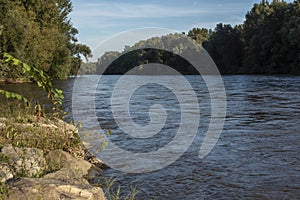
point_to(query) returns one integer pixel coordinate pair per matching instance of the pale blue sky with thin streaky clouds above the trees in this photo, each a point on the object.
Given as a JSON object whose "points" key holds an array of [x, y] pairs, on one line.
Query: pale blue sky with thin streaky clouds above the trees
{"points": [[98, 20]]}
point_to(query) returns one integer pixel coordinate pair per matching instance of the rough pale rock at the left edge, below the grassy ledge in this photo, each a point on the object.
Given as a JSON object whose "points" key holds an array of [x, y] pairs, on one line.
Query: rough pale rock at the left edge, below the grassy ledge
{"points": [[25, 161]]}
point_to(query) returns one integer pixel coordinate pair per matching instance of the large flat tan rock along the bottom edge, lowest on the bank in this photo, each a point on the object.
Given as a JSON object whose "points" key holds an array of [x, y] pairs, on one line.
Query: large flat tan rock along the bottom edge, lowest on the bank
{"points": [[29, 188]]}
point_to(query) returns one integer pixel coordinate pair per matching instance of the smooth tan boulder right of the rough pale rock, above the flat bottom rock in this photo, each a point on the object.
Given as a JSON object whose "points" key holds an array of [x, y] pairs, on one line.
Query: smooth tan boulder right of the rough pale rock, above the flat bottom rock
{"points": [[58, 159]]}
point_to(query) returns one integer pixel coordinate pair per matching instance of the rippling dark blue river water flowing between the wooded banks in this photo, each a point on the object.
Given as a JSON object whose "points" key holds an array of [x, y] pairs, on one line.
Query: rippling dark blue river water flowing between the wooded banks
{"points": [[256, 157]]}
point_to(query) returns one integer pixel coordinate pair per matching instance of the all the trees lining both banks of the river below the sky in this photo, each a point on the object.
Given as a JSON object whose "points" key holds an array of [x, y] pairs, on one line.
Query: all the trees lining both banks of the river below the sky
{"points": [[40, 33]]}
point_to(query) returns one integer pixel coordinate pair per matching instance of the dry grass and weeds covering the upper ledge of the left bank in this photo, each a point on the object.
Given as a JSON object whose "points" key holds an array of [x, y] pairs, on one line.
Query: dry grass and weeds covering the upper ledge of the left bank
{"points": [[23, 127]]}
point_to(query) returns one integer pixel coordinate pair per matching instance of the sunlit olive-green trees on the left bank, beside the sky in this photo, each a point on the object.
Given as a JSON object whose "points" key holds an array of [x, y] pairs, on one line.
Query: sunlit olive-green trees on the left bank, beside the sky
{"points": [[41, 34]]}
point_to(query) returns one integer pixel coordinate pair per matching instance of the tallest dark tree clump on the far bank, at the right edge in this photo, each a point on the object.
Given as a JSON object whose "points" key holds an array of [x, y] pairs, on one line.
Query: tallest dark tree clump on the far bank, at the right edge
{"points": [[270, 36]]}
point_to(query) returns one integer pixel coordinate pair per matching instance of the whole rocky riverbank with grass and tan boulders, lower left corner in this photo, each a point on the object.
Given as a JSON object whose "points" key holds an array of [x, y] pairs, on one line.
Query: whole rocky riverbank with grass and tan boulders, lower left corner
{"points": [[45, 160]]}
